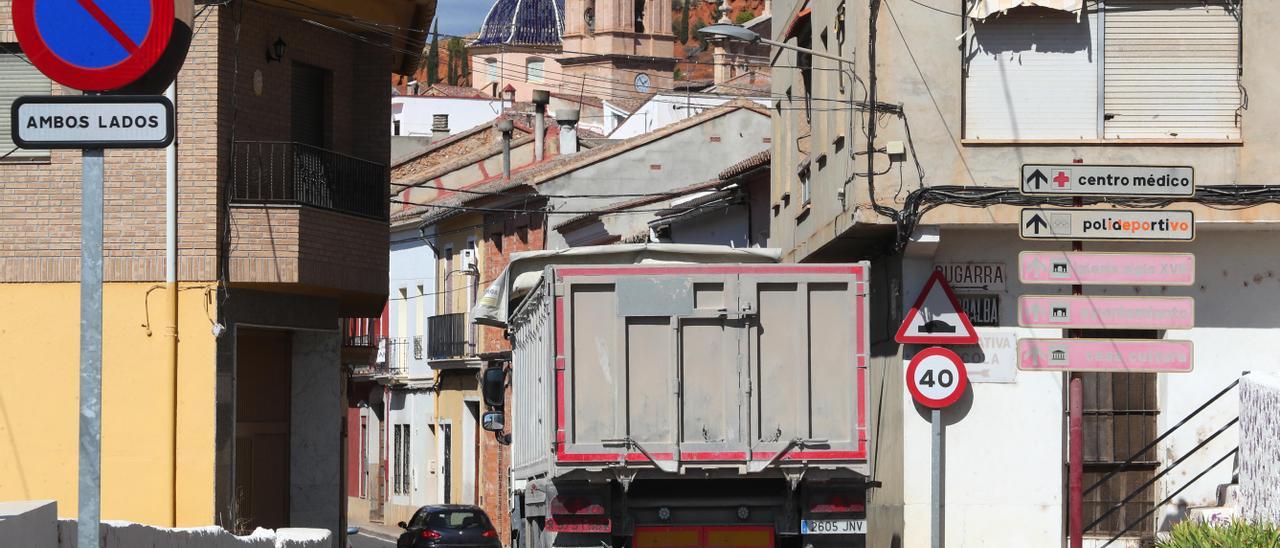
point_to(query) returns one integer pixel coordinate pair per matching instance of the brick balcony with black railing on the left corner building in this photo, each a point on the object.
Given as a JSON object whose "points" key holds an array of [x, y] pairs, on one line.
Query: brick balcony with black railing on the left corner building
{"points": [[310, 221]]}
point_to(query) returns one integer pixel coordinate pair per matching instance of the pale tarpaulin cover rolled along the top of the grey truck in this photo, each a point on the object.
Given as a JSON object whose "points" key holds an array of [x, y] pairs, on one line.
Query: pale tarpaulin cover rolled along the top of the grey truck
{"points": [[525, 270]]}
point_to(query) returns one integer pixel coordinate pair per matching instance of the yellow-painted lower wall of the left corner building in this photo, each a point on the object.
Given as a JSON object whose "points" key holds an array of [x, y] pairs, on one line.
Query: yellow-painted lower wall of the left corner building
{"points": [[40, 391]]}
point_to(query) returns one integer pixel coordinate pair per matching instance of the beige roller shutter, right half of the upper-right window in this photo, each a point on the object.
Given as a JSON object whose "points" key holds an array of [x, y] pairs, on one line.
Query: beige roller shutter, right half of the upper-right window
{"points": [[1172, 70]]}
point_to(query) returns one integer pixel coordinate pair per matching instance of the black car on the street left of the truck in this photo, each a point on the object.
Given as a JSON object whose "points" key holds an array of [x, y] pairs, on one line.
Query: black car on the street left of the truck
{"points": [[449, 526]]}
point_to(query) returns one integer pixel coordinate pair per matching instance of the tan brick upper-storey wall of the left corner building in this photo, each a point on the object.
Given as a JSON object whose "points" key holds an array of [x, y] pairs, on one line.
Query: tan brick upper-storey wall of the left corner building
{"points": [[227, 90]]}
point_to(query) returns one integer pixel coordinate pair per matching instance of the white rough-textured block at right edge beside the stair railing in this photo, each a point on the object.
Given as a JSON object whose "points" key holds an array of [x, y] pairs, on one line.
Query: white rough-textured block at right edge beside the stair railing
{"points": [[1260, 447]]}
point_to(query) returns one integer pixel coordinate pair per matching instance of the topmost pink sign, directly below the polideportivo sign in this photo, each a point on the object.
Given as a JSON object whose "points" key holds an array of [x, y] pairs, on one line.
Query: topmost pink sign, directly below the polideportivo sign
{"points": [[1107, 270]]}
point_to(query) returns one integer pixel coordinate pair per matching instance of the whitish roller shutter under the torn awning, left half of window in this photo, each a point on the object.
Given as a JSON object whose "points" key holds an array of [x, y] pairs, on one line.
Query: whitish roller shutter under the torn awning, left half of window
{"points": [[1022, 63]]}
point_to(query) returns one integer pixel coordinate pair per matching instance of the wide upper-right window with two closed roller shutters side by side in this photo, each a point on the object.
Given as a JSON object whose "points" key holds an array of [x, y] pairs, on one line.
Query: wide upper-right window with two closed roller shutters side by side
{"points": [[1135, 70]]}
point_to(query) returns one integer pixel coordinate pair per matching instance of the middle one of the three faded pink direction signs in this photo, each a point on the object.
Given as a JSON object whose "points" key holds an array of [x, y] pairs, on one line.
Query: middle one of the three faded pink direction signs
{"points": [[1105, 313]]}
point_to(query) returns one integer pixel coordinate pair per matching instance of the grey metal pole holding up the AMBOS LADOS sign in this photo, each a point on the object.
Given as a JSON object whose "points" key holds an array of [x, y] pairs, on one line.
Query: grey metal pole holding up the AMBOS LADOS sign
{"points": [[92, 350]]}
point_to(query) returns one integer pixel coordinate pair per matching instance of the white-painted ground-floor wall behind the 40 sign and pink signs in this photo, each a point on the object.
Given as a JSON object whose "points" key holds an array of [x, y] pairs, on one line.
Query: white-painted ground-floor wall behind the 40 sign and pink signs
{"points": [[1005, 444]]}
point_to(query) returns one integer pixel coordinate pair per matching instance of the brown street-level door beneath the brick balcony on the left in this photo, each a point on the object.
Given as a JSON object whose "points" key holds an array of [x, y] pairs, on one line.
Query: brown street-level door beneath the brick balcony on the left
{"points": [[264, 369]]}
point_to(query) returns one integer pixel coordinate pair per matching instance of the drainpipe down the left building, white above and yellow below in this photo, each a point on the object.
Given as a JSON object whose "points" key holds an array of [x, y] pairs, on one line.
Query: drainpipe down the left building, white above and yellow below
{"points": [[171, 284]]}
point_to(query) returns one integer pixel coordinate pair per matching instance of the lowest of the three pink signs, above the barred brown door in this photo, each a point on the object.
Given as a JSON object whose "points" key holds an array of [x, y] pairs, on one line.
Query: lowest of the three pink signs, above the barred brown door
{"points": [[1105, 355]]}
